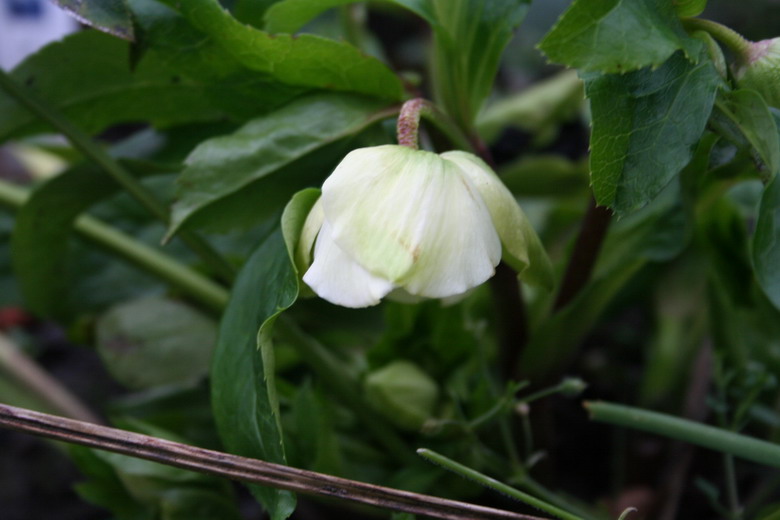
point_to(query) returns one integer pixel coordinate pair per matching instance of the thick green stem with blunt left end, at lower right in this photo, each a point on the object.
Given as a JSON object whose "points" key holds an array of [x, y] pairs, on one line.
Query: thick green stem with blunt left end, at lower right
{"points": [[689, 431]]}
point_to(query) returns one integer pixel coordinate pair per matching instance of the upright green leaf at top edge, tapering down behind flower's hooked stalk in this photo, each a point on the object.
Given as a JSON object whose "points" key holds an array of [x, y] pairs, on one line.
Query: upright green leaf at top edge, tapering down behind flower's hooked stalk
{"points": [[469, 39]]}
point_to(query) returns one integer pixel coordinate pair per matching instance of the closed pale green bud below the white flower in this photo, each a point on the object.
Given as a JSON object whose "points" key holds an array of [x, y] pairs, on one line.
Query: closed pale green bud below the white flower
{"points": [[403, 393]]}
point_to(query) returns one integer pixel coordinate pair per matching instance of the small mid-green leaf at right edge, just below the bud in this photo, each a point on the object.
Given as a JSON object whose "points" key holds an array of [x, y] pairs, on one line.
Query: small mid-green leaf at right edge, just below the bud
{"points": [[743, 117]]}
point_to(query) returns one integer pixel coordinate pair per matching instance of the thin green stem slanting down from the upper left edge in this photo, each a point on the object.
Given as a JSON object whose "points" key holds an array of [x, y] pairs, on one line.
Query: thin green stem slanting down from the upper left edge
{"points": [[86, 146]]}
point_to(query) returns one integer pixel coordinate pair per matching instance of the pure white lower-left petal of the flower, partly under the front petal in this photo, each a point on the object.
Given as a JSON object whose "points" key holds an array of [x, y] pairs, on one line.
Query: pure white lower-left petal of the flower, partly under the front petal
{"points": [[337, 278]]}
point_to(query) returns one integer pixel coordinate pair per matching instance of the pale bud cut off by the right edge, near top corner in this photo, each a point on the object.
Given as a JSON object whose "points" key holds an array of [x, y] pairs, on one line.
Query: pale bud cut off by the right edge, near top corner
{"points": [[759, 70]]}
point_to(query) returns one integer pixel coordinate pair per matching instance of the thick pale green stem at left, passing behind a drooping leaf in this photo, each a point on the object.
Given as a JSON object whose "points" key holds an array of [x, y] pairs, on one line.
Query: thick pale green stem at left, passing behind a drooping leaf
{"points": [[147, 258]]}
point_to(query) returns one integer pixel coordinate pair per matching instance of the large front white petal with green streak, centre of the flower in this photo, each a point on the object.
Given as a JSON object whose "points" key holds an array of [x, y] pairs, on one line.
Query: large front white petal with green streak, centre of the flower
{"points": [[412, 218]]}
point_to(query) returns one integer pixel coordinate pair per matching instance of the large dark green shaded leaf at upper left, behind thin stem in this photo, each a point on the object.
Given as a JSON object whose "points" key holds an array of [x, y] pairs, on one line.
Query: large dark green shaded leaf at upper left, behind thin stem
{"points": [[166, 88]]}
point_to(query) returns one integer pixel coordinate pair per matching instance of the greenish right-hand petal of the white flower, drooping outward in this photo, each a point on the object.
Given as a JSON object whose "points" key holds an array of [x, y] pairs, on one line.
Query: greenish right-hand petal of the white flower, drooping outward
{"points": [[522, 248]]}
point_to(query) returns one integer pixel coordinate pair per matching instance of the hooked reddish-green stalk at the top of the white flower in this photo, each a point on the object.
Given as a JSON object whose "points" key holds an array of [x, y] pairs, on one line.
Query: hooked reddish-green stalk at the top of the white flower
{"points": [[408, 127]]}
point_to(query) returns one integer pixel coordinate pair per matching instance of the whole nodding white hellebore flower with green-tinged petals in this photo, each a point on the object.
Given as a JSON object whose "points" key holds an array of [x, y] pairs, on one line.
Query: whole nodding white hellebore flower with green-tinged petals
{"points": [[394, 218]]}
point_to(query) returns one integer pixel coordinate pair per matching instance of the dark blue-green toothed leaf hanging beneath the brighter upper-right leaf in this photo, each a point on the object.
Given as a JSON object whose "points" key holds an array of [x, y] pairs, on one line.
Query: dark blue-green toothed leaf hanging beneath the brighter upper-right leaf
{"points": [[645, 127]]}
